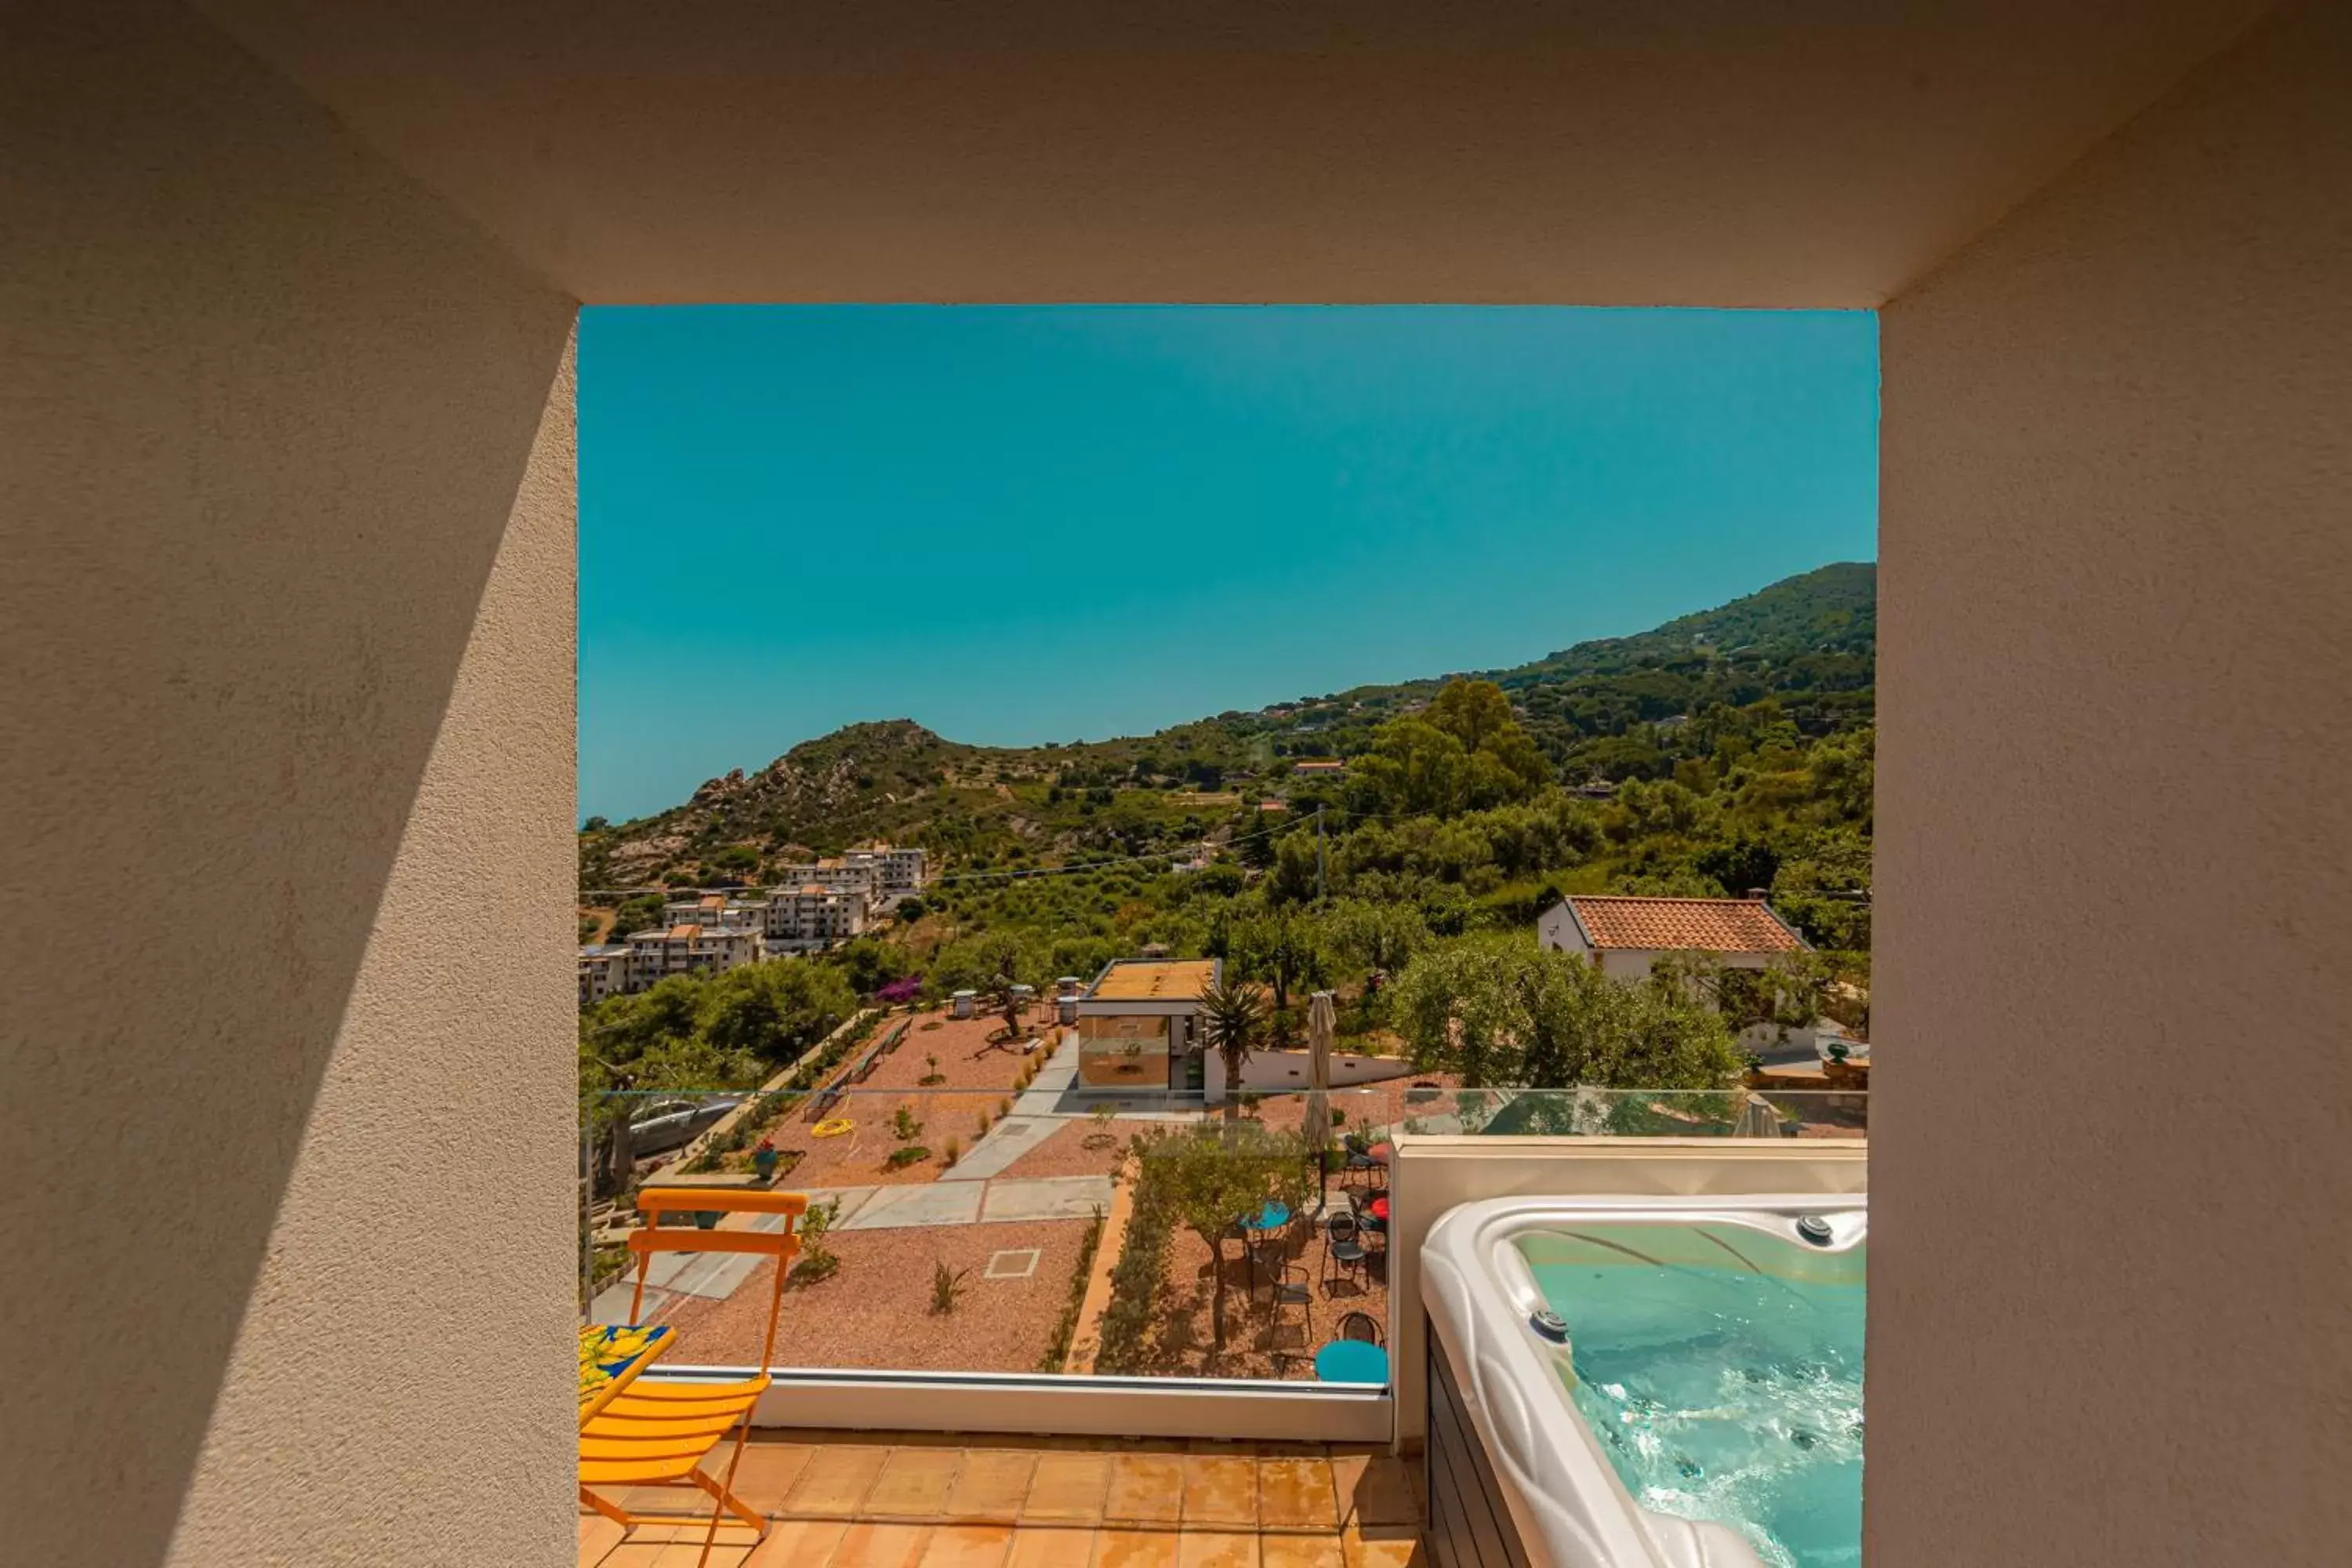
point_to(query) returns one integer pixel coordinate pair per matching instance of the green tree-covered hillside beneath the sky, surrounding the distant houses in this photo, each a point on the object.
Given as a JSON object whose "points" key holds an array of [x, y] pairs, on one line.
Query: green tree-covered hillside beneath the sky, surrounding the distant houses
{"points": [[1718, 753]]}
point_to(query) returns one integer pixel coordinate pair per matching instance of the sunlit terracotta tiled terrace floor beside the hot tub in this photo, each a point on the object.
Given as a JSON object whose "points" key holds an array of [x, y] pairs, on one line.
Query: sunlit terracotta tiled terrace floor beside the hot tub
{"points": [[930, 1501]]}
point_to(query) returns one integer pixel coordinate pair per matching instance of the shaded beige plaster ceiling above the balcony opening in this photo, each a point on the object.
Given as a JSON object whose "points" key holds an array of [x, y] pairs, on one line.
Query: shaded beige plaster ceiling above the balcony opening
{"points": [[1582, 152]]}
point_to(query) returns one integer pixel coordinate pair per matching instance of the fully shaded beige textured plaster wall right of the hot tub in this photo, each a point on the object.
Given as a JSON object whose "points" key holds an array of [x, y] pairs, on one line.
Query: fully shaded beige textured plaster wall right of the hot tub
{"points": [[2113, 1139]]}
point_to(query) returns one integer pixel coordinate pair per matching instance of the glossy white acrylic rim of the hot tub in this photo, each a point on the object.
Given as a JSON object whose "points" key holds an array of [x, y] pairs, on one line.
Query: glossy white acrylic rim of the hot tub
{"points": [[1565, 1499]]}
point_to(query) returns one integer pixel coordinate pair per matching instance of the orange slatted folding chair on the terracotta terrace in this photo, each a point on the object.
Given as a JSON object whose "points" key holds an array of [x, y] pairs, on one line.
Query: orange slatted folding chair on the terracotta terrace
{"points": [[660, 1433]]}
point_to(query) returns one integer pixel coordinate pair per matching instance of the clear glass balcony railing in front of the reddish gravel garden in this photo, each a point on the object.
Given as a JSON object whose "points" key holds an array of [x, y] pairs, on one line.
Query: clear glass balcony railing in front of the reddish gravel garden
{"points": [[989, 1209]]}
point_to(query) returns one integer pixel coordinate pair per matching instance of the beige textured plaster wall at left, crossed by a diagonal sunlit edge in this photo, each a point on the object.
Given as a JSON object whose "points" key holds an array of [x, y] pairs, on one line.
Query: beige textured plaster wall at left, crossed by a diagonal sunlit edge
{"points": [[286, 753]]}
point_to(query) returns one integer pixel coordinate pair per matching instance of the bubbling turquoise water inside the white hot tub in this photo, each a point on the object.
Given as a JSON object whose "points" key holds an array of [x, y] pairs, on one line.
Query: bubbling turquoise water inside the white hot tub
{"points": [[1725, 1395]]}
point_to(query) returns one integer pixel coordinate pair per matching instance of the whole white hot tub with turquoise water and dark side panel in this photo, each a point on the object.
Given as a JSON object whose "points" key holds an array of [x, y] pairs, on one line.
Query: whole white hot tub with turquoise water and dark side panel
{"points": [[1648, 1383]]}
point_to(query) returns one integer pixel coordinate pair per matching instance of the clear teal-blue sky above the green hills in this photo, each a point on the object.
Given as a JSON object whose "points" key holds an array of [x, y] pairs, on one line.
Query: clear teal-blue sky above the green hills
{"points": [[1029, 525]]}
